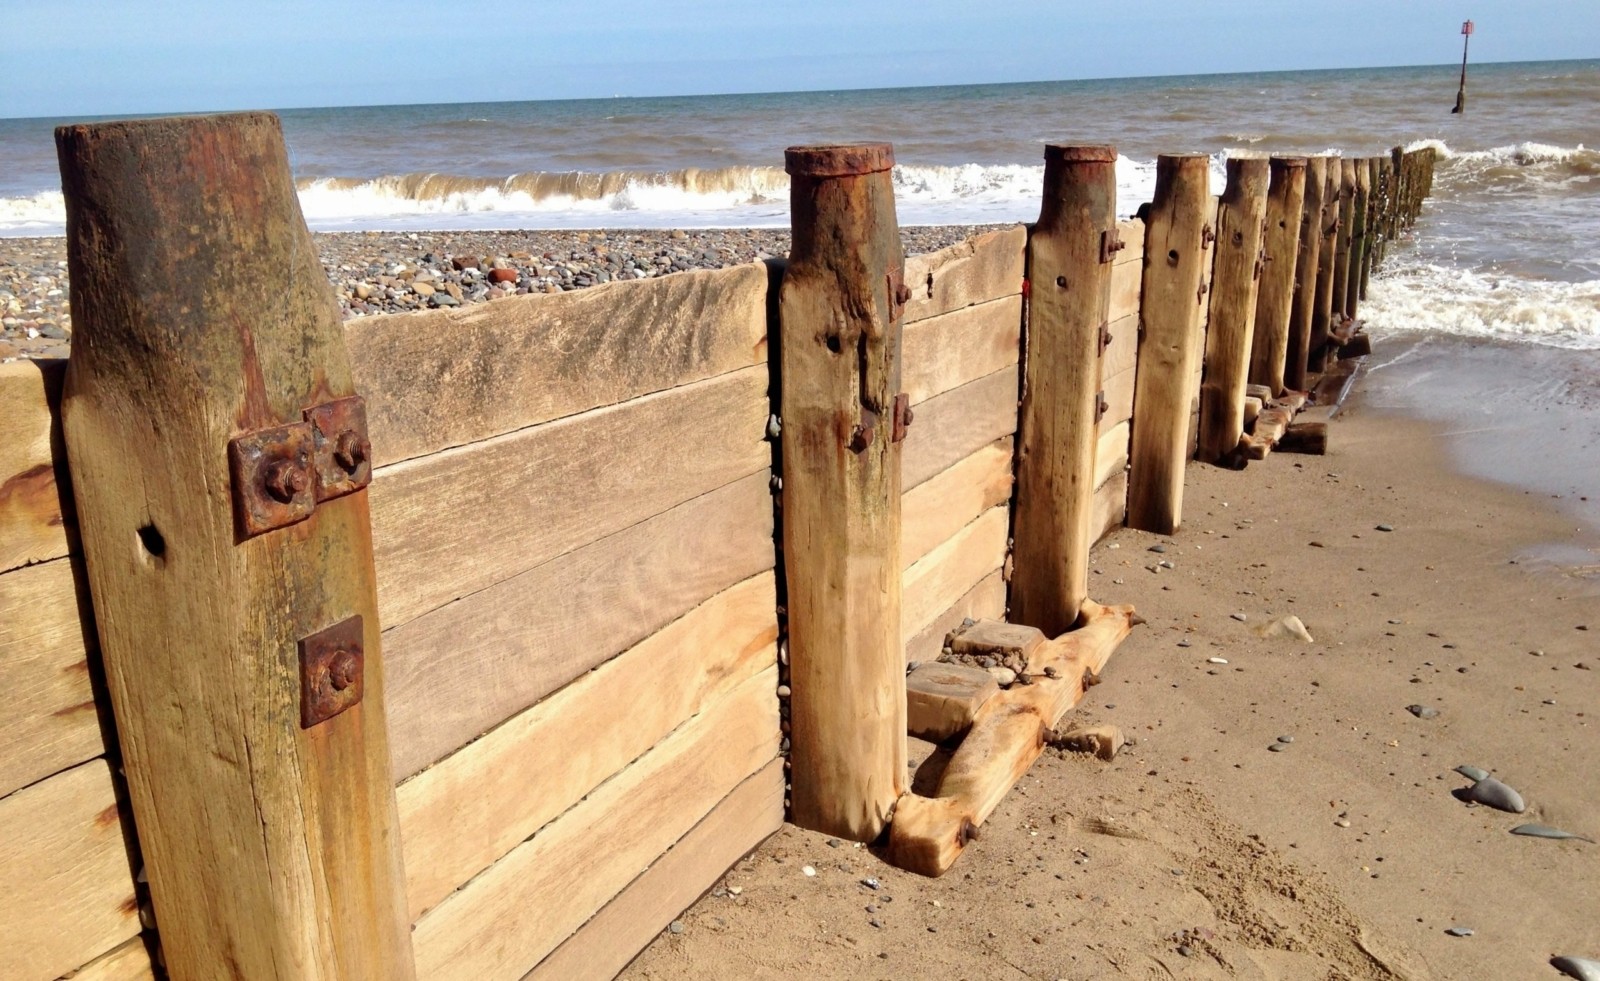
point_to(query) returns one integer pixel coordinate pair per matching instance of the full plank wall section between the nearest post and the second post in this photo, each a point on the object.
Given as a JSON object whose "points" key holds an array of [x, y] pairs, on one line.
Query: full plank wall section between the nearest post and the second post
{"points": [[574, 537]]}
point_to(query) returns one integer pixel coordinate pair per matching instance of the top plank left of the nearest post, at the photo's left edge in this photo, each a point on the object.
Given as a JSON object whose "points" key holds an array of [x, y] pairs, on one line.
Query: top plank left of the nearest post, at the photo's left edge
{"points": [[31, 508]]}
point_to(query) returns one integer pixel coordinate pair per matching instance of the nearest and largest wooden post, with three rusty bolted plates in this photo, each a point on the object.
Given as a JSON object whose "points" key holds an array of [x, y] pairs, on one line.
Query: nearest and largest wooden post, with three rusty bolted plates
{"points": [[234, 604]]}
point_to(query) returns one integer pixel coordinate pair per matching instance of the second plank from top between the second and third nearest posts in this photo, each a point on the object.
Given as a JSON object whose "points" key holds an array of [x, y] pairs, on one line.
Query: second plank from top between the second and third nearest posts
{"points": [[953, 350]]}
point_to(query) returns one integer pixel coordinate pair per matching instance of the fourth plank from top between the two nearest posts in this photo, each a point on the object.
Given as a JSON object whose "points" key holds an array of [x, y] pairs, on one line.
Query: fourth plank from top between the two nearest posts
{"points": [[465, 814]]}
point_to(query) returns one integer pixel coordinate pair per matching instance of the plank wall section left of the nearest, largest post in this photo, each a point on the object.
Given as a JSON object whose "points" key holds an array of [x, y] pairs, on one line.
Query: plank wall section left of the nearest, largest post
{"points": [[71, 900]]}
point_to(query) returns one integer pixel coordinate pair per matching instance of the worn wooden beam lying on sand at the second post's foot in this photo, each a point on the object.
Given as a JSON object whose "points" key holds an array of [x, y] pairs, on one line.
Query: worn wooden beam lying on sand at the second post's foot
{"points": [[929, 835]]}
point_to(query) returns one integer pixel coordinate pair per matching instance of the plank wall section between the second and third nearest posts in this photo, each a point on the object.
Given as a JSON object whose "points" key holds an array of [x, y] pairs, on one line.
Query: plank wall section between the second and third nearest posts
{"points": [[961, 364]]}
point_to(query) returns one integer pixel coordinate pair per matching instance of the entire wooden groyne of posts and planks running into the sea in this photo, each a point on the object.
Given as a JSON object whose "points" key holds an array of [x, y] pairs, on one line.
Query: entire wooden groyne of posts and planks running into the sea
{"points": [[449, 569]]}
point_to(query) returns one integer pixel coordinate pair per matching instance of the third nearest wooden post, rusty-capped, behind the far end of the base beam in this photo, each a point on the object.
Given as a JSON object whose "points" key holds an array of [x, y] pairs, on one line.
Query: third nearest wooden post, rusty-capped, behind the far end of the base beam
{"points": [[1070, 258]]}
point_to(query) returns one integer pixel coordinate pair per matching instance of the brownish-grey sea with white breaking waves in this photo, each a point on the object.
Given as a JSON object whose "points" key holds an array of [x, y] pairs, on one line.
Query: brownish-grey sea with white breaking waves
{"points": [[1506, 258]]}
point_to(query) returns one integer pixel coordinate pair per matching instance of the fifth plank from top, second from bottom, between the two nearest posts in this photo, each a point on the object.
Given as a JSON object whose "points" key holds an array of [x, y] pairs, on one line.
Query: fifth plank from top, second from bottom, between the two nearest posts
{"points": [[508, 919]]}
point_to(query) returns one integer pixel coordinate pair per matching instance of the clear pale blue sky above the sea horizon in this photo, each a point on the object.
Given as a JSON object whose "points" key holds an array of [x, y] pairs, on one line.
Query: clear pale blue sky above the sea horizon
{"points": [[113, 57]]}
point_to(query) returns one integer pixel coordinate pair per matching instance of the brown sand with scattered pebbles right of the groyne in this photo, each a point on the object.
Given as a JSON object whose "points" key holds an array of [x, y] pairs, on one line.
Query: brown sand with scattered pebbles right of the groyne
{"points": [[1199, 854]]}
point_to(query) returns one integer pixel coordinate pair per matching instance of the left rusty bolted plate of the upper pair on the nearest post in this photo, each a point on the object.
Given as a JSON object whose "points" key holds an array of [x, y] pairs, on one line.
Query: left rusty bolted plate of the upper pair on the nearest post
{"points": [[274, 482]]}
